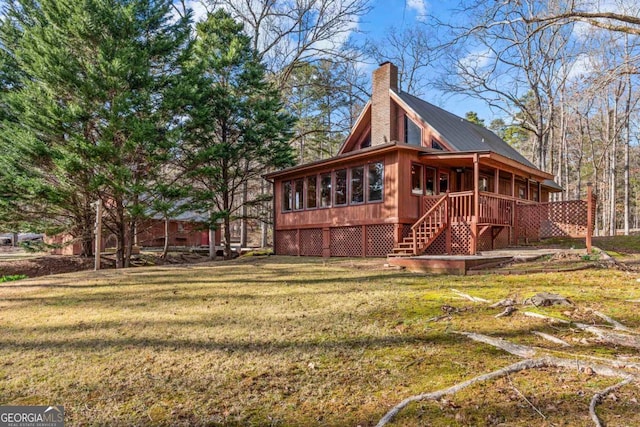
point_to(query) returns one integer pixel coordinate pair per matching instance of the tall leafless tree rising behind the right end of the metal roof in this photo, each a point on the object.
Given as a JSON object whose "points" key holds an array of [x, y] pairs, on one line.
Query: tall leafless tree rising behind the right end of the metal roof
{"points": [[514, 66]]}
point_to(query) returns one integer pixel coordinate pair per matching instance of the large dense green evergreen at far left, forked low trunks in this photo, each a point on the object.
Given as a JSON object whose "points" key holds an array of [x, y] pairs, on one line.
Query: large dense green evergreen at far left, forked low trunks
{"points": [[93, 122]]}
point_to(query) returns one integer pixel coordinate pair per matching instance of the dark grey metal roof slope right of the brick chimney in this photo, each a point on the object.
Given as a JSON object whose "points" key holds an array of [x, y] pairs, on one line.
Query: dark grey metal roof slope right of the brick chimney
{"points": [[461, 134]]}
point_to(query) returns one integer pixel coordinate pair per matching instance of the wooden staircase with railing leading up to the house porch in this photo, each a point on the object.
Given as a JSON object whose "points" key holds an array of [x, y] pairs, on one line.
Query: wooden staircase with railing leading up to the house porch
{"points": [[425, 230]]}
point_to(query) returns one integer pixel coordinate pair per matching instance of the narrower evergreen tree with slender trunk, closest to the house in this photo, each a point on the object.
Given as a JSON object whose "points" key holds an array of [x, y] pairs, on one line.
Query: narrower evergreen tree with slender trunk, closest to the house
{"points": [[233, 125]]}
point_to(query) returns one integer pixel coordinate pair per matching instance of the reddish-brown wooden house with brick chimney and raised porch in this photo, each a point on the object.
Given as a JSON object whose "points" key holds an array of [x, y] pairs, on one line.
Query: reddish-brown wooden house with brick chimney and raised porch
{"points": [[412, 178]]}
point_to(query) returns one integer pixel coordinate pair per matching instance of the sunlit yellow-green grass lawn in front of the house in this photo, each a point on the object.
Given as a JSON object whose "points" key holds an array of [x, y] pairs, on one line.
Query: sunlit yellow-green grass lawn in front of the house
{"points": [[297, 341]]}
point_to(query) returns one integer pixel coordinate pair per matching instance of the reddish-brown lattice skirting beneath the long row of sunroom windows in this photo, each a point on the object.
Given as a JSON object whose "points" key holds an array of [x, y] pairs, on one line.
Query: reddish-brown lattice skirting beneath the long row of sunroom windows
{"points": [[372, 240]]}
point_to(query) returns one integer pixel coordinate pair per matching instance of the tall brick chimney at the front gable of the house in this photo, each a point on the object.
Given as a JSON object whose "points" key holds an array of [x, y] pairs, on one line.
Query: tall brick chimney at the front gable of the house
{"points": [[384, 126]]}
